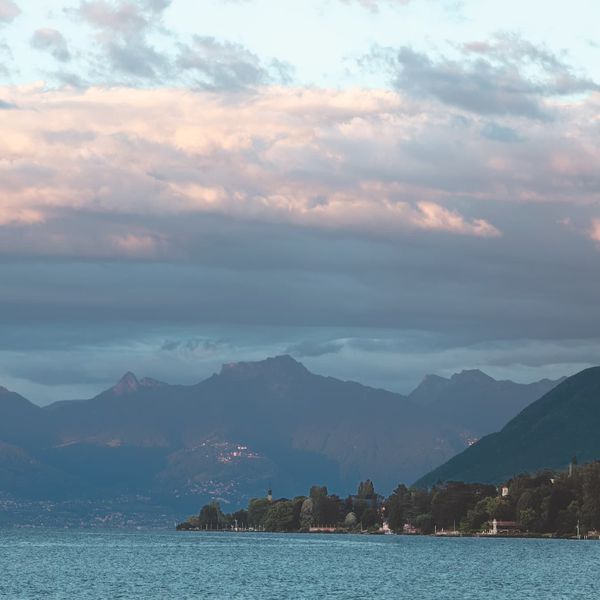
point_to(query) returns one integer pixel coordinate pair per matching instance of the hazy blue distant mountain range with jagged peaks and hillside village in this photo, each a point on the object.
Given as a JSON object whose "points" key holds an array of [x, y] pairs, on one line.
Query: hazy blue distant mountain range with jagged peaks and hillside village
{"points": [[235, 433]]}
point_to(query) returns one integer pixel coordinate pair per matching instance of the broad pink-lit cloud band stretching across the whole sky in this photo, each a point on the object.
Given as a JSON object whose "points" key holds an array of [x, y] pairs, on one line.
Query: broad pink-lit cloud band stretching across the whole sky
{"points": [[367, 161]]}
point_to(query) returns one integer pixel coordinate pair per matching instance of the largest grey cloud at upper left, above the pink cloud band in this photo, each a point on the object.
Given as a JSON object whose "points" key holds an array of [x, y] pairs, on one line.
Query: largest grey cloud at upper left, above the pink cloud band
{"points": [[134, 47]]}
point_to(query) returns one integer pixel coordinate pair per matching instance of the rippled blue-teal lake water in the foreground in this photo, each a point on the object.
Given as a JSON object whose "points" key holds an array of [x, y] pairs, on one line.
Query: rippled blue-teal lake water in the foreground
{"points": [[79, 565]]}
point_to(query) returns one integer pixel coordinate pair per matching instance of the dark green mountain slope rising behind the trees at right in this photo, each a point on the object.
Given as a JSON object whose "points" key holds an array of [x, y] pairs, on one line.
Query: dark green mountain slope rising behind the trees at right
{"points": [[547, 434]]}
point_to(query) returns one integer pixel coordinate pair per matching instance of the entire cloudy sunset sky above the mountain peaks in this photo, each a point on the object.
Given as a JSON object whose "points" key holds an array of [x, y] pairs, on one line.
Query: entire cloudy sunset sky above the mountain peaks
{"points": [[380, 188]]}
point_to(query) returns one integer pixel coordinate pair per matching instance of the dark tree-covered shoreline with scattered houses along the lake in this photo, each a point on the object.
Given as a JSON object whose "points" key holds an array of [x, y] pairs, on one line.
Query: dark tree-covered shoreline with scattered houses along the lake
{"points": [[557, 504]]}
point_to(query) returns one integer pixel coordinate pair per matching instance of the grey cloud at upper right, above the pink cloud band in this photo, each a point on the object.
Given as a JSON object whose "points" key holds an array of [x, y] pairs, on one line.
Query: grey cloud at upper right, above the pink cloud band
{"points": [[504, 76]]}
